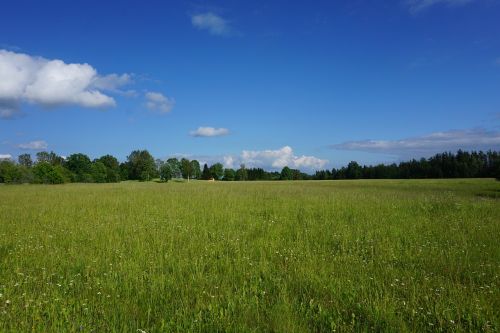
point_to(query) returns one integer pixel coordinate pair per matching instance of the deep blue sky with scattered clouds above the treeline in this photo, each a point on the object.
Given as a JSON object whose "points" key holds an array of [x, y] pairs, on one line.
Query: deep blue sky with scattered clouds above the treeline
{"points": [[311, 85]]}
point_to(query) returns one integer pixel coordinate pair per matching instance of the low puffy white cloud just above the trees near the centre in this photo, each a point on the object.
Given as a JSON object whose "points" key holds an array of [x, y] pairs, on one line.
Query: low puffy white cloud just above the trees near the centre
{"points": [[277, 159]]}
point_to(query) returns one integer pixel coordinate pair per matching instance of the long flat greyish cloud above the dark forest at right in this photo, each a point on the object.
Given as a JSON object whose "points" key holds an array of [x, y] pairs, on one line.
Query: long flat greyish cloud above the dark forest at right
{"points": [[470, 139]]}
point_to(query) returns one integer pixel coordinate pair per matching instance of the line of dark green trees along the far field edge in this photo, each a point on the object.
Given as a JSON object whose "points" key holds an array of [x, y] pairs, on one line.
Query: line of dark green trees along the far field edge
{"points": [[50, 168]]}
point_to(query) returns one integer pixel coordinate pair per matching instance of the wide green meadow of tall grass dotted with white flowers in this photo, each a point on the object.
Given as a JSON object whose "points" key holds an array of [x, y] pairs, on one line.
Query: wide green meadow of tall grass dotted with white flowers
{"points": [[391, 256]]}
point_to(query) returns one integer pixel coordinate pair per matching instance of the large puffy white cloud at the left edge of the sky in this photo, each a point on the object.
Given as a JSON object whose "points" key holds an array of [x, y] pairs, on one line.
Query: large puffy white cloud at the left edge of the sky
{"points": [[52, 83]]}
